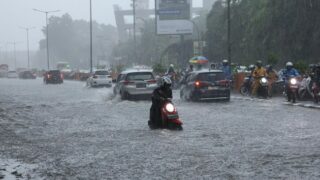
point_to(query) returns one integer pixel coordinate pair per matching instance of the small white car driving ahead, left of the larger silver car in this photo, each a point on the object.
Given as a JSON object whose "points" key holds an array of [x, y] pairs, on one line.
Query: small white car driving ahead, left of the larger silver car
{"points": [[100, 78]]}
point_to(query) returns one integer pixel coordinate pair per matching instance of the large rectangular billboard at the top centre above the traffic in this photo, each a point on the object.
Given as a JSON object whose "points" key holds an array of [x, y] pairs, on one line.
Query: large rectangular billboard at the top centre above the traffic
{"points": [[173, 17]]}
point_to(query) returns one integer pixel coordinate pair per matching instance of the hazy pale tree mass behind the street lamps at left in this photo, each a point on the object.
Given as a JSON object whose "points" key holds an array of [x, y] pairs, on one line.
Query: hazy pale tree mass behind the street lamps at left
{"points": [[70, 41]]}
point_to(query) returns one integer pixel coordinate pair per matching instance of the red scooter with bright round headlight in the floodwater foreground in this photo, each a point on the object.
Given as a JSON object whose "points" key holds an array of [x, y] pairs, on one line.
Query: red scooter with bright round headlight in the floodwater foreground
{"points": [[169, 116]]}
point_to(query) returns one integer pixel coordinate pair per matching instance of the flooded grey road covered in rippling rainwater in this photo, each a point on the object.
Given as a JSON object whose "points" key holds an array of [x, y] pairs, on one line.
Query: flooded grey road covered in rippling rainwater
{"points": [[74, 132]]}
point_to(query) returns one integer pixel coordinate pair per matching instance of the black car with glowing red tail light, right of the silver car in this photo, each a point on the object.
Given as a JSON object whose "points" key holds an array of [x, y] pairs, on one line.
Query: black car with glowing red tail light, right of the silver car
{"points": [[206, 85]]}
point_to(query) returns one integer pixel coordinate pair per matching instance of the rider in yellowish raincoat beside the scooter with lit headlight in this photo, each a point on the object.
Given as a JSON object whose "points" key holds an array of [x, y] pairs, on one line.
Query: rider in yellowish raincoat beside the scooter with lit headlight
{"points": [[258, 72]]}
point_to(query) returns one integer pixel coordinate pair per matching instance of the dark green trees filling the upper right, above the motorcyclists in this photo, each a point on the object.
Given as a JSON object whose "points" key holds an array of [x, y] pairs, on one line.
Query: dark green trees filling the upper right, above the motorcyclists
{"points": [[290, 29]]}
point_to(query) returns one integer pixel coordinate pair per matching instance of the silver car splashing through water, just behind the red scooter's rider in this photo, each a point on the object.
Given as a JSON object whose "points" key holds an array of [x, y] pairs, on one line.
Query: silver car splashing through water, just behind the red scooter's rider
{"points": [[135, 84]]}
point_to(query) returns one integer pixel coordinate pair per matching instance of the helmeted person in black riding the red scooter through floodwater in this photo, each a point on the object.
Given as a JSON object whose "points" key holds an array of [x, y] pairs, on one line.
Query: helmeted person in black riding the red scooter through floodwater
{"points": [[159, 96]]}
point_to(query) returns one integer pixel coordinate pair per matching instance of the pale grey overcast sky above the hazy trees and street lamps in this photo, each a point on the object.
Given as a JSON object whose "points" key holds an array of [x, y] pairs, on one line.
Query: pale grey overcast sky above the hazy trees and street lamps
{"points": [[16, 13]]}
